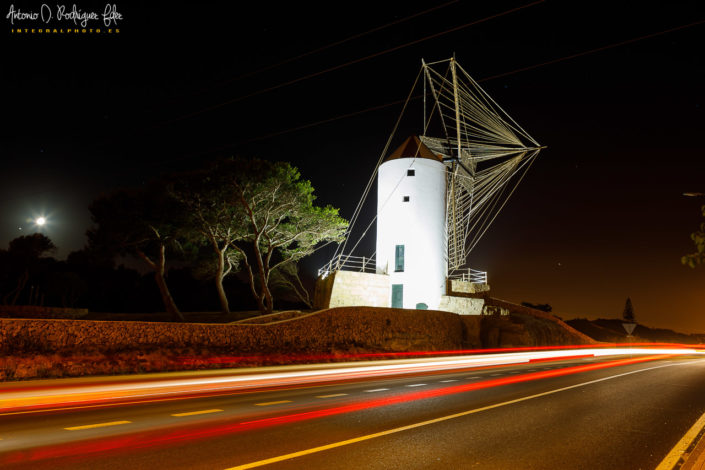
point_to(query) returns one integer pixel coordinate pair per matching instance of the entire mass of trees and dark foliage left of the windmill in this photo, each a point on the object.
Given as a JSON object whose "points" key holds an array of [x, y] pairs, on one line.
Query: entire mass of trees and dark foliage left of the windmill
{"points": [[178, 234]]}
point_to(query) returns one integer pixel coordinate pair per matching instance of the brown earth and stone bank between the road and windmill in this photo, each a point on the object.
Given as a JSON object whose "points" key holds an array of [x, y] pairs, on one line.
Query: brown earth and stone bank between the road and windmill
{"points": [[61, 348]]}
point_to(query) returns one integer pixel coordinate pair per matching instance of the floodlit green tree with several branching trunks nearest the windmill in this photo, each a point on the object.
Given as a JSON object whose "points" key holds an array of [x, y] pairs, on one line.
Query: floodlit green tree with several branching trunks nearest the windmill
{"points": [[260, 214]]}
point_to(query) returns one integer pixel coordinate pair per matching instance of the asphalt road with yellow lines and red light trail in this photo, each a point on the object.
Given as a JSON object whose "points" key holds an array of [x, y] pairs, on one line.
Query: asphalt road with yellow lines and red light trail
{"points": [[530, 416]]}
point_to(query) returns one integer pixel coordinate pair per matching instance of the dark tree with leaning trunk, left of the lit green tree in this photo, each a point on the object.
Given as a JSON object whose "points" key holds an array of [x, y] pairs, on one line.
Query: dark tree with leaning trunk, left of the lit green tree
{"points": [[145, 223]]}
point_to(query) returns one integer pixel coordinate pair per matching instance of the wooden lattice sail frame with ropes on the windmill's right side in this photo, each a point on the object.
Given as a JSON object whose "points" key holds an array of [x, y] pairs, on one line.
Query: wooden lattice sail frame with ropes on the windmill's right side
{"points": [[484, 150]]}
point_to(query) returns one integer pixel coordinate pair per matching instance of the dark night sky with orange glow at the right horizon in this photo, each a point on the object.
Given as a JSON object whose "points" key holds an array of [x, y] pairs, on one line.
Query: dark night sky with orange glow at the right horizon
{"points": [[600, 216]]}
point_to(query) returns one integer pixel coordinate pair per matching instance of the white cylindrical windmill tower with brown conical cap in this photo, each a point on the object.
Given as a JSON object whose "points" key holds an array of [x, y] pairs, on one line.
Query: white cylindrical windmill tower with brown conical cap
{"points": [[411, 225]]}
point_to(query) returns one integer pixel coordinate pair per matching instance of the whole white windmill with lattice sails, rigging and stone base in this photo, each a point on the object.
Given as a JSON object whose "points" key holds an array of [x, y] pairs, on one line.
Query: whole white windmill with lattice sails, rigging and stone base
{"points": [[438, 192]]}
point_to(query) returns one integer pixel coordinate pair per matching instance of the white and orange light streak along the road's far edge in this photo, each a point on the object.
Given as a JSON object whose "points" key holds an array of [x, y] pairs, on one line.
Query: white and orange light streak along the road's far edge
{"points": [[16, 398]]}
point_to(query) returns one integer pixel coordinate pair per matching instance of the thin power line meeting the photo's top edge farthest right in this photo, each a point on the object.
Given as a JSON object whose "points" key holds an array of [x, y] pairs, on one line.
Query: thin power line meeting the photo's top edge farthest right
{"points": [[351, 62]]}
